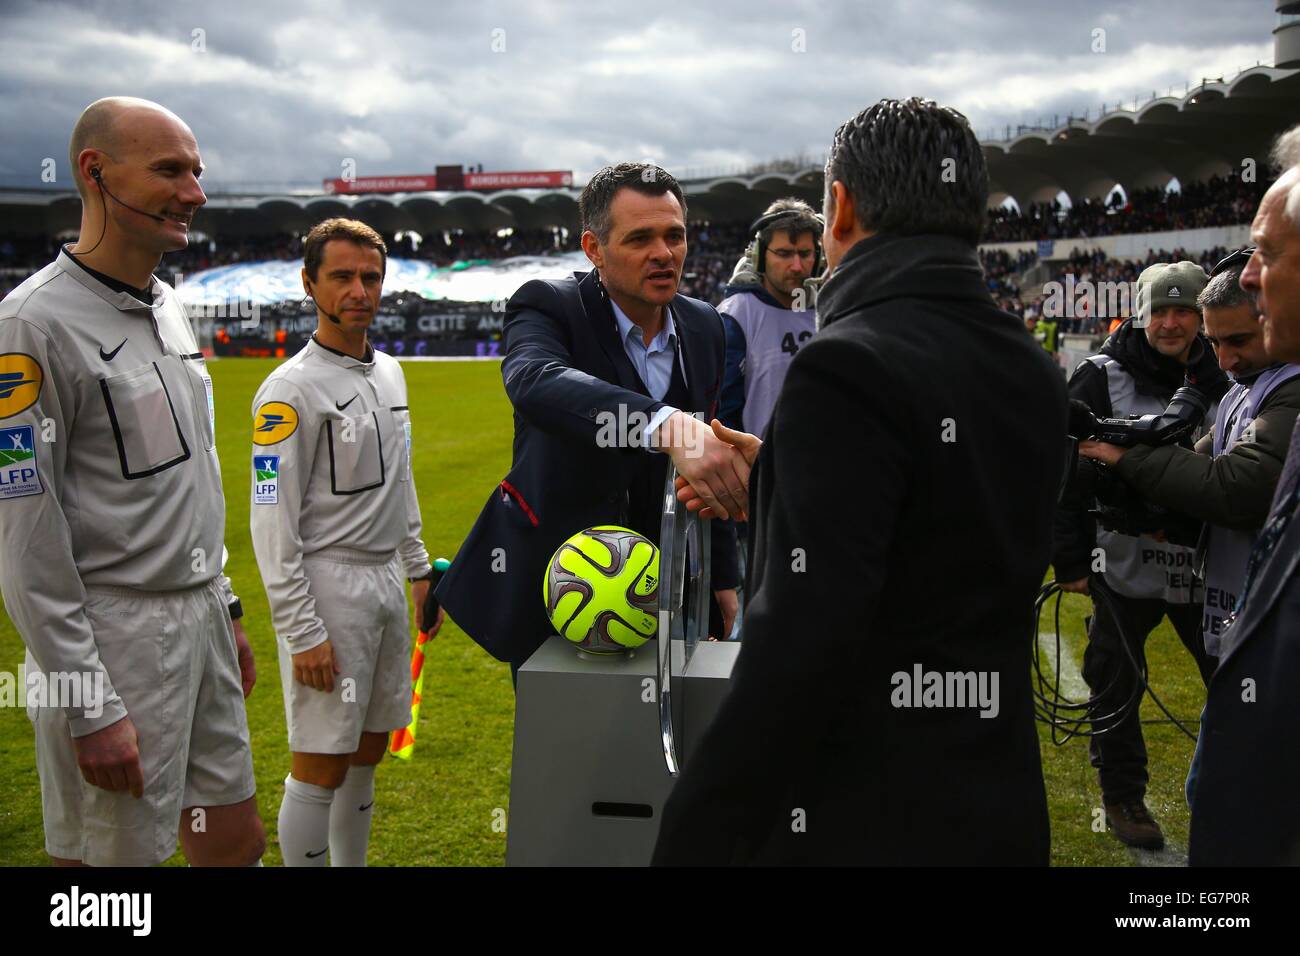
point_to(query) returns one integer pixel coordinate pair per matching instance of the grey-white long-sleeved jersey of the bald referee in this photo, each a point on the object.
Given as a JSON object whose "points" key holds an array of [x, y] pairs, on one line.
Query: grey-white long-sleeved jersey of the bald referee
{"points": [[109, 468]]}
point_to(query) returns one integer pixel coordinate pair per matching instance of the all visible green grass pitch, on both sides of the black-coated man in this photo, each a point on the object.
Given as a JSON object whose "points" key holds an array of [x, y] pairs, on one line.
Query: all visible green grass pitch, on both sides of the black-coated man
{"points": [[439, 808]]}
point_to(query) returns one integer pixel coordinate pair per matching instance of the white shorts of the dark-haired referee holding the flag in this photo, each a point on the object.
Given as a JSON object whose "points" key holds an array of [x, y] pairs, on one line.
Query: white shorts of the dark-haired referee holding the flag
{"points": [[361, 598]]}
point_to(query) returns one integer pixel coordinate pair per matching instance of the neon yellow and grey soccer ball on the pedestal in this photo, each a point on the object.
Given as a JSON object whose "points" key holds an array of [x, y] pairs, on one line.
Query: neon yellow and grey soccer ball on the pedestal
{"points": [[603, 590]]}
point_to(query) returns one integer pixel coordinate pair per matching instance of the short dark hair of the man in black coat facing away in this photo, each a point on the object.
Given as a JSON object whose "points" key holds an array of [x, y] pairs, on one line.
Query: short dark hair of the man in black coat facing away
{"points": [[912, 167]]}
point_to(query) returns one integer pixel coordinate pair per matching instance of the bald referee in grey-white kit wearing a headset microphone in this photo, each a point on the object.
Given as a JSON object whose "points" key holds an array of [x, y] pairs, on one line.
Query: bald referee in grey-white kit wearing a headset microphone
{"points": [[112, 521]]}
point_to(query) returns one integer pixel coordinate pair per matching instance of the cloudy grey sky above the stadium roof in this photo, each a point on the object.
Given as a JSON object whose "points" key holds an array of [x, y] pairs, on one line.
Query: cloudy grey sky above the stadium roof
{"points": [[285, 98]]}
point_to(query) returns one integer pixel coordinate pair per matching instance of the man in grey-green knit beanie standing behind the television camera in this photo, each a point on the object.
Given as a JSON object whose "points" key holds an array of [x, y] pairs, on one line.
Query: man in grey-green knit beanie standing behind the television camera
{"points": [[1142, 577]]}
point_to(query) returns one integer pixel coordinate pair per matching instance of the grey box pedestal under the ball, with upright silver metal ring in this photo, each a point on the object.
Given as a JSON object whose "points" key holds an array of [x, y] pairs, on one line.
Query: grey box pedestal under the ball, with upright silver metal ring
{"points": [[599, 741]]}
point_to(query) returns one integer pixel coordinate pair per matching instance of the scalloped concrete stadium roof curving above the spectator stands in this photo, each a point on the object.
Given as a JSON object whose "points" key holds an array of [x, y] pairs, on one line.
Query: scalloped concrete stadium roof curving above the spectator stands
{"points": [[1210, 131]]}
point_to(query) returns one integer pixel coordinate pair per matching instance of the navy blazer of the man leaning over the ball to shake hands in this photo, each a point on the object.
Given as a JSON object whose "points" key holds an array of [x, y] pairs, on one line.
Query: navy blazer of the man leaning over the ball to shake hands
{"points": [[565, 366]]}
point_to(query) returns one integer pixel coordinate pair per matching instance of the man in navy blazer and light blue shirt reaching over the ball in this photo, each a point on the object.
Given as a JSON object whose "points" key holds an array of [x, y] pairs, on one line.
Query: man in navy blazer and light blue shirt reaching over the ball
{"points": [[606, 371]]}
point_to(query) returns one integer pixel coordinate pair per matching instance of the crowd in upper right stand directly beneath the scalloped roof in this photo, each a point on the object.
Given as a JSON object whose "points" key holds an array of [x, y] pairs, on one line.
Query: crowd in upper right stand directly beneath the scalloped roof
{"points": [[1219, 201]]}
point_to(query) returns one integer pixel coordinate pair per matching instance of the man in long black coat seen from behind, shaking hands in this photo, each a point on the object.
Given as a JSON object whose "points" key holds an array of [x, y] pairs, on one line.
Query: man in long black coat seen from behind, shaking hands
{"points": [[881, 707]]}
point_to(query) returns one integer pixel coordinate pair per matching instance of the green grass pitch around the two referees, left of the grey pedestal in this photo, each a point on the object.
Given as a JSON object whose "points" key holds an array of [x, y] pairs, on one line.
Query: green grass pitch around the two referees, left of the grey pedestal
{"points": [[436, 810]]}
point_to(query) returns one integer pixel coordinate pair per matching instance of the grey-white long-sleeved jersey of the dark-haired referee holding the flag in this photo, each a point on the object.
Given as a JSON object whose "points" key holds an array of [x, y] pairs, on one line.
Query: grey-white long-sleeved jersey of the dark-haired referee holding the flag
{"points": [[332, 469]]}
